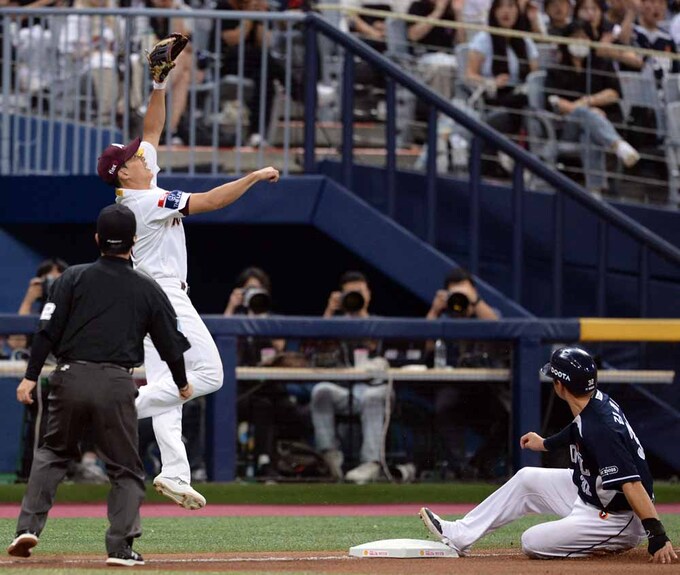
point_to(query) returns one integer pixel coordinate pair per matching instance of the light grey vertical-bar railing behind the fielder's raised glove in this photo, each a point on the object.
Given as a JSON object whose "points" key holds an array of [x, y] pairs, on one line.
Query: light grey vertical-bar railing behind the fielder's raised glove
{"points": [[64, 98]]}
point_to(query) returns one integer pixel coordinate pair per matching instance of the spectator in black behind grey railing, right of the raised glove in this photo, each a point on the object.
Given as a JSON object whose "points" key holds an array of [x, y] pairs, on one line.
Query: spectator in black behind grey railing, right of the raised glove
{"points": [[255, 37]]}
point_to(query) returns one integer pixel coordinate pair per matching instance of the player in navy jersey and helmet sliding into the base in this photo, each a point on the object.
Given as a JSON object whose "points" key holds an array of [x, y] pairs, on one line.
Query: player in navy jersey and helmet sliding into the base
{"points": [[605, 501]]}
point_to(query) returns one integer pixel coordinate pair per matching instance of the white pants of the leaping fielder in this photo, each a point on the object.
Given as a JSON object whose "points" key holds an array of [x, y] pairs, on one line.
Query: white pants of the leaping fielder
{"points": [[160, 399]]}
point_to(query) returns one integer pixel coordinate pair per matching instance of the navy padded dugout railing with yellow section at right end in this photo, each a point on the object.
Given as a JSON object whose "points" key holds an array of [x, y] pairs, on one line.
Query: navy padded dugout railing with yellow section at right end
{"points": [[530, 340]]}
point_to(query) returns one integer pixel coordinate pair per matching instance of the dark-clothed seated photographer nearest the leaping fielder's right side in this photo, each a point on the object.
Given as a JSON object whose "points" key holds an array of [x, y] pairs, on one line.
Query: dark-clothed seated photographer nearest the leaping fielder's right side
{"points": [[271, 412]]}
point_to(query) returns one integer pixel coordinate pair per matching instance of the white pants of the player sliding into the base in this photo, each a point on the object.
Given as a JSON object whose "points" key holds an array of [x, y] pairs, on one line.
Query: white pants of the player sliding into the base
{"points": [[580, 532]]}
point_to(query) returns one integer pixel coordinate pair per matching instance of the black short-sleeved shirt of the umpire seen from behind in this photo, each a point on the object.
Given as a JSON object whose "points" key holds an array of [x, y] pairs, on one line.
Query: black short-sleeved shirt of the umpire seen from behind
{"points": [[101, 312]]}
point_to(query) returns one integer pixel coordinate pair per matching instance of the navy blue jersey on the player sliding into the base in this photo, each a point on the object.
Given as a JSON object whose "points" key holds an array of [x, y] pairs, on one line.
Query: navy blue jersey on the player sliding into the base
{"points": [[606, 453]]}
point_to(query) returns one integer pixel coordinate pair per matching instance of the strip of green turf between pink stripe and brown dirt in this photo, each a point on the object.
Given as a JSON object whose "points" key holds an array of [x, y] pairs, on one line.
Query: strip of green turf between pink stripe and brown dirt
{"points": [[268, 534]]}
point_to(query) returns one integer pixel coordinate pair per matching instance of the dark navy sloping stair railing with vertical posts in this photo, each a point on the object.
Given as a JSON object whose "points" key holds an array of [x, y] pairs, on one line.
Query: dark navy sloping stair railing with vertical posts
{"points": [[647, 241]]}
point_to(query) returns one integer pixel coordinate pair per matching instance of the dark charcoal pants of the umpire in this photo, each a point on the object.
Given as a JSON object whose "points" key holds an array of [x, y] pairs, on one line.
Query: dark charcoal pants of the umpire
{"points": [[103, 397]]}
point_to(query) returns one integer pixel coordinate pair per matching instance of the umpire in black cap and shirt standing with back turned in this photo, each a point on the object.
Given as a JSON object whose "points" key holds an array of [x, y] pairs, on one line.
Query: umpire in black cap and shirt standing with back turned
{"points": [[95, 322]]}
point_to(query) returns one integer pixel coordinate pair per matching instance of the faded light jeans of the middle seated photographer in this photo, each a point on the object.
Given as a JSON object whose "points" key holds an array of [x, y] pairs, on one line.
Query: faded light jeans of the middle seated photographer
{"points": [[367, 400]]}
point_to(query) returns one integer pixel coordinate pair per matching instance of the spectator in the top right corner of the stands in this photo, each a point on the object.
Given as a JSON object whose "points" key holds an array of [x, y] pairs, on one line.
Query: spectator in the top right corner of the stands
{"points": [[648, 34]]}
